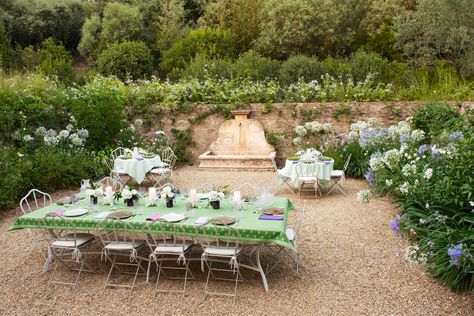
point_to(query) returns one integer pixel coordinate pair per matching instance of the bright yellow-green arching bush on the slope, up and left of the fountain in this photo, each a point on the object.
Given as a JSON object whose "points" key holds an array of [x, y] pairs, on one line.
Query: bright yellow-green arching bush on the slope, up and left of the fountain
{"points": [[213, 43]]}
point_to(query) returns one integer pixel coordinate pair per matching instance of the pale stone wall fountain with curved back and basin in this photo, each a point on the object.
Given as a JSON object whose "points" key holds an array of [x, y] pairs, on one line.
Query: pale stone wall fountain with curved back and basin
{"points": [[240, 145]]}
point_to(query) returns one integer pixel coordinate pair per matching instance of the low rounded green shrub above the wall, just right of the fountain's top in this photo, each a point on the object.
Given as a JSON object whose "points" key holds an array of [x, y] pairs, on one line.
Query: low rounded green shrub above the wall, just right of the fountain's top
{"points": [[300, 67]]}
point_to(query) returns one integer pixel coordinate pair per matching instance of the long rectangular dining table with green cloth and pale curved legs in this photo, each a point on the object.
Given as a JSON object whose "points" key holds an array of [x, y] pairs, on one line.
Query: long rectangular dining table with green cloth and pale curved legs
{"points": [[253, 232]]}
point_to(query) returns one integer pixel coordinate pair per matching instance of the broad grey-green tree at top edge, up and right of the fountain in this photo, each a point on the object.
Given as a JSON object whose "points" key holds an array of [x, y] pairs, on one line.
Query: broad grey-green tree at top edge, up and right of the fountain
{"points": [[291, 27]]}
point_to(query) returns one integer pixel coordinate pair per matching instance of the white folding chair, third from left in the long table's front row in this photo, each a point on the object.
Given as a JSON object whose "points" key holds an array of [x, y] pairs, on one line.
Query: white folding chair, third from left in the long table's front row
{"points": [[167, 242]]}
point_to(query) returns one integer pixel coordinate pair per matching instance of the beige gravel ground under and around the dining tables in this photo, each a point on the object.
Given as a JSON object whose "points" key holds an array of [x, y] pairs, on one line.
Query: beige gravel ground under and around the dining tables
{"points": [[348, 256]]}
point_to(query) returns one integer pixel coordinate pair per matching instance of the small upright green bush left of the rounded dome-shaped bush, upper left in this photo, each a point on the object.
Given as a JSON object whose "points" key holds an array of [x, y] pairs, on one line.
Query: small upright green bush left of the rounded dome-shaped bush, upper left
{"points": [[54, 60]]}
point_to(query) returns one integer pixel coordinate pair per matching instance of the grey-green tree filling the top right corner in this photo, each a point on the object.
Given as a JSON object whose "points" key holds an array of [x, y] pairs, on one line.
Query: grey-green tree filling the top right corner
{"points": [[442, 29]]}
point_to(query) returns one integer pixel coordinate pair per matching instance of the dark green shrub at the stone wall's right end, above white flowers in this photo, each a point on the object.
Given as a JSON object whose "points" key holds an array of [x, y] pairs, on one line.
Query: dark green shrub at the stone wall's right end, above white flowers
{"points": [[434, 118]]}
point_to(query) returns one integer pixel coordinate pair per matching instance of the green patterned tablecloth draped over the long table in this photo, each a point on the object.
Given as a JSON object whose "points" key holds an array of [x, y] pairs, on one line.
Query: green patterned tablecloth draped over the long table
{"points": [[251, 229]]}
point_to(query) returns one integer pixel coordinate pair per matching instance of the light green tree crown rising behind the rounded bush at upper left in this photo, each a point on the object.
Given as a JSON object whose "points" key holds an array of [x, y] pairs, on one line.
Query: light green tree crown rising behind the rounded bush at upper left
{"points": [[121, 22]]}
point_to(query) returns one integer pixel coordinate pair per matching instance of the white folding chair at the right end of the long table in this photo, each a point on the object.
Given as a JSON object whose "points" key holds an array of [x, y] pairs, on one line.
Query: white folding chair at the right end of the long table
{"points": [[292, 235]]}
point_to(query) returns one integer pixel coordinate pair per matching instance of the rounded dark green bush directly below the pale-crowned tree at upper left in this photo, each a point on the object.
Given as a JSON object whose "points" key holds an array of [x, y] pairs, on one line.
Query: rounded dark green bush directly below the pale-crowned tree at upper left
{"points": [[125, 60]]}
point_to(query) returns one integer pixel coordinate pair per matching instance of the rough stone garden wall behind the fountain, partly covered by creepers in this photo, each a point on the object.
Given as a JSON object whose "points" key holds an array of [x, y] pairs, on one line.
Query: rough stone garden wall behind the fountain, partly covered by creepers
{"points": [[280, 119]]}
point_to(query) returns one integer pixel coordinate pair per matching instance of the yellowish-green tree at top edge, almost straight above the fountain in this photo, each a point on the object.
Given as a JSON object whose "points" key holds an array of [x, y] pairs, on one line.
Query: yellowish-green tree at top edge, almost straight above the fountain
{"points": [[241, 17]]}
